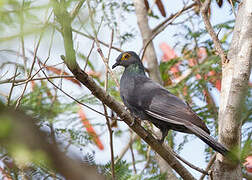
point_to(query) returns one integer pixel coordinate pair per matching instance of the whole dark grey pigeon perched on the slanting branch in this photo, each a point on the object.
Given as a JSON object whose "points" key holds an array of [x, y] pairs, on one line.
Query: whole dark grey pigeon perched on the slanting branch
{"points": [[148, 100]]}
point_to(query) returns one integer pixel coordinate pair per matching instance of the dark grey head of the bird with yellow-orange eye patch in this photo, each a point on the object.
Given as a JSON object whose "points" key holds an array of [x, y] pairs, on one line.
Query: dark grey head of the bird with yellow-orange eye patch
{"points": [[127, 58]]}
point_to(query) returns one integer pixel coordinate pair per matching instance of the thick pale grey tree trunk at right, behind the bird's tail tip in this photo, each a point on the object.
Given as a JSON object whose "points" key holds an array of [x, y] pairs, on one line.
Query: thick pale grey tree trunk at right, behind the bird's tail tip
{"points": [[235, 77]]}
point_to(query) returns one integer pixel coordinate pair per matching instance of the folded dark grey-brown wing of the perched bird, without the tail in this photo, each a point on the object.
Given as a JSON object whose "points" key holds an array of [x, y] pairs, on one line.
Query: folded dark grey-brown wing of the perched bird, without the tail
{"points": [[161, 104]]}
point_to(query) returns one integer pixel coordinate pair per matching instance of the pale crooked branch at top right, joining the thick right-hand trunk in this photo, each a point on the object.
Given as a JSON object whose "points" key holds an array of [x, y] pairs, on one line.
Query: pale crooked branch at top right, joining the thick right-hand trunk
{"points": [[209, 28]]}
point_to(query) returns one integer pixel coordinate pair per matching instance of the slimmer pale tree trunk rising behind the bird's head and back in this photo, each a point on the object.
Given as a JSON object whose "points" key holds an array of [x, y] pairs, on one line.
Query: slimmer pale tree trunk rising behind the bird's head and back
{"points": [[150, 55]]}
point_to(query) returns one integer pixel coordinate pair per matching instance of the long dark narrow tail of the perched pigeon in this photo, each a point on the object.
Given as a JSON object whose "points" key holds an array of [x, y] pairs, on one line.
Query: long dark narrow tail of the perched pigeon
{"points": [[204, 136]]}
